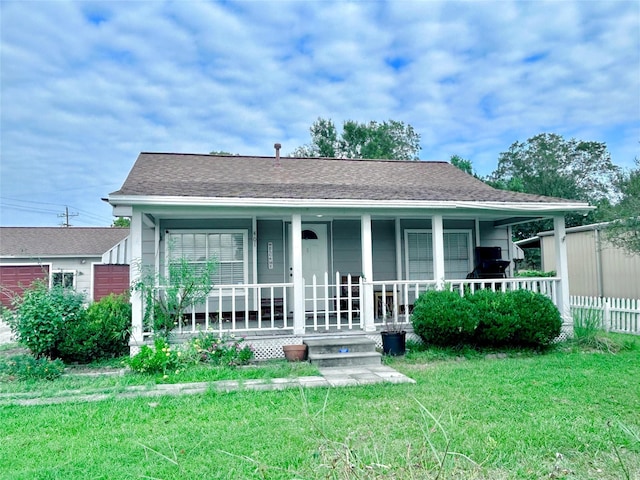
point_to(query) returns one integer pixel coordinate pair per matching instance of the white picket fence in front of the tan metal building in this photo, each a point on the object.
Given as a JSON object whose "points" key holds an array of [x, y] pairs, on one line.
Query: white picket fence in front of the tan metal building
{"points": [[620, 315]]}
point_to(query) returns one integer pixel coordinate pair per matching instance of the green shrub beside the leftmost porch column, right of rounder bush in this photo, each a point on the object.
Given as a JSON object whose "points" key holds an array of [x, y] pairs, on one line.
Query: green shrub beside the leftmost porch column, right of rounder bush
{"points": [[103, 333]]}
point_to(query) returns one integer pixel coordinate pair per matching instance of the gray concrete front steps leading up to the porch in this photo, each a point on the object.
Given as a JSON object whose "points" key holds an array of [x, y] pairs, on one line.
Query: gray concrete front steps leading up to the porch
{"points": [[342, 351]]}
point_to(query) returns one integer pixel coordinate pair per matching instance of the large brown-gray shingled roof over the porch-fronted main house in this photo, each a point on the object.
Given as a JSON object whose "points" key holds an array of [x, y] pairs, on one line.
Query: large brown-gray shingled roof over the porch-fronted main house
{"points": [[191, 175]]}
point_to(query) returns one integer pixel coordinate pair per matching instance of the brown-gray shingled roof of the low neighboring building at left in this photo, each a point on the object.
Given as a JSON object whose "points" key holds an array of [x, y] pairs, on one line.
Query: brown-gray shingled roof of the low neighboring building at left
{"points": [[58, 241]]}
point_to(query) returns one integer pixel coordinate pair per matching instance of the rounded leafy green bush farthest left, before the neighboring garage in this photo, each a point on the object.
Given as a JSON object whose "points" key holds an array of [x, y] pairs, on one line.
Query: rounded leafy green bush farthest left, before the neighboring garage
{"points": [[42, 317]]}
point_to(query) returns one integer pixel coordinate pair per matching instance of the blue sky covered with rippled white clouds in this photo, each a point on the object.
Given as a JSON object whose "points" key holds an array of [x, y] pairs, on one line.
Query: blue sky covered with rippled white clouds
{"points": [[86, 86]]}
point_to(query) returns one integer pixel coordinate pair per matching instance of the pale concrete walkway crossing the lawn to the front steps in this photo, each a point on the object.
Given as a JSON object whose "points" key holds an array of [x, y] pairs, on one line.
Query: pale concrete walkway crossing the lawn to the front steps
{"points": [[329, 377]]}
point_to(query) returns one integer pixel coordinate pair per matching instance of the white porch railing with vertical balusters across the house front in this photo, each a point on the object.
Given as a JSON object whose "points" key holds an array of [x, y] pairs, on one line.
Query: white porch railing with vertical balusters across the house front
{"points": [[331, 304]]}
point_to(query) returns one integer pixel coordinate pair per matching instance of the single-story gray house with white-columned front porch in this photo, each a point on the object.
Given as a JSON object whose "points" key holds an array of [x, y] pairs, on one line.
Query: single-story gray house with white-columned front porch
{"points": [[313, 245]]}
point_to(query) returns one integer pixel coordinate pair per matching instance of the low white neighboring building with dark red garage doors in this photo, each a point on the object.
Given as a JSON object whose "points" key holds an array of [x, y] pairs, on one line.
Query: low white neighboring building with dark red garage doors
{"points": [[72, 257]]}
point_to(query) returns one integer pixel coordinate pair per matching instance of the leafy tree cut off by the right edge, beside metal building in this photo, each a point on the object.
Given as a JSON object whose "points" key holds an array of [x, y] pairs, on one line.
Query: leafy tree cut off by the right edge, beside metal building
{"points": [[624, 231]]}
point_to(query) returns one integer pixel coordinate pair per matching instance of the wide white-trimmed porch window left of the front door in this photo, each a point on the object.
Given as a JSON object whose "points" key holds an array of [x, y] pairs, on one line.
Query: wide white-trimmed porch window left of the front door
{"points": [[227, 247]]}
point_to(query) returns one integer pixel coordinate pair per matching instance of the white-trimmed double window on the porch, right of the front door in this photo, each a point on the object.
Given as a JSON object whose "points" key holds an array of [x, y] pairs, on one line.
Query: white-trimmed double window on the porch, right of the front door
{"points": [[458, 259]]}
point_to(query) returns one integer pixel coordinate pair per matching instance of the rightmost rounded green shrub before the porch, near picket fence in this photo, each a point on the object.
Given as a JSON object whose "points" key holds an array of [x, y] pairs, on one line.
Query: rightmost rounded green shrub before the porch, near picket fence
{"points": [[538, 320]]}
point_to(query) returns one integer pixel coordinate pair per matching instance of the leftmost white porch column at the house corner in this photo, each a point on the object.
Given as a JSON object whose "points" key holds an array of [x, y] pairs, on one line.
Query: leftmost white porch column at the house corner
{"points": [[137, 317]]}
